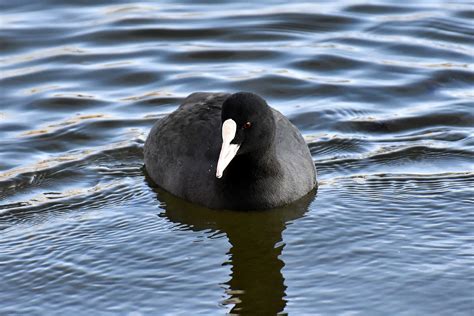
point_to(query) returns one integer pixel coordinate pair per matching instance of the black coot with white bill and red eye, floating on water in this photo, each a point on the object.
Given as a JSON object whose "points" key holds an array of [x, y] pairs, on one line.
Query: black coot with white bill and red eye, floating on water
{"points": [[229, 151]]}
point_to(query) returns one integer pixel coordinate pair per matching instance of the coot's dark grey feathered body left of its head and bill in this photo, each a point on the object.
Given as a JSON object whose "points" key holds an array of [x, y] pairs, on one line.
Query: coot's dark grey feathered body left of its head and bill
{"points": [[182, 149]]}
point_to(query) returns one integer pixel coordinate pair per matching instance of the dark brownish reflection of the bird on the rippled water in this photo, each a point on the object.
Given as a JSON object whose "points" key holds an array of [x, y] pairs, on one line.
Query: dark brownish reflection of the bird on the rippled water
{"points": [[257, 285]]}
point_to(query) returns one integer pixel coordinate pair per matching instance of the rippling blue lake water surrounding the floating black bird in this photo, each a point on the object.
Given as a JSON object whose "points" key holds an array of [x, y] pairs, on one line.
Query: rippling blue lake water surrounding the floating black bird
{"points": [[382, 92]]}
